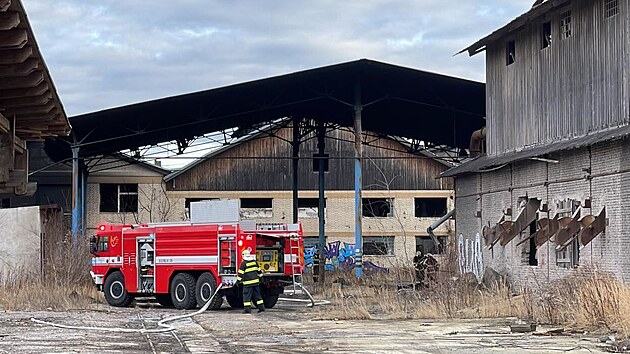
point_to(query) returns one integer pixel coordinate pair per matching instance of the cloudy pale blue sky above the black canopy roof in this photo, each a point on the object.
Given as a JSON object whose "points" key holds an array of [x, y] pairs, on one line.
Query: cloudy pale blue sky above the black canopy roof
{"points": [[104, 53]]}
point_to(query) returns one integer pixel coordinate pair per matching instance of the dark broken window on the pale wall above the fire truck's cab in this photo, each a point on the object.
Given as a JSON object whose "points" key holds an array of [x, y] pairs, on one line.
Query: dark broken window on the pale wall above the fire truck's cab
{"points": [[118, 198]]}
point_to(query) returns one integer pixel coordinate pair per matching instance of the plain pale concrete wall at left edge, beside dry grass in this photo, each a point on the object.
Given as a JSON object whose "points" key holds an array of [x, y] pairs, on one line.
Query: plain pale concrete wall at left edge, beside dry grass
{"points": [[20, 242]]}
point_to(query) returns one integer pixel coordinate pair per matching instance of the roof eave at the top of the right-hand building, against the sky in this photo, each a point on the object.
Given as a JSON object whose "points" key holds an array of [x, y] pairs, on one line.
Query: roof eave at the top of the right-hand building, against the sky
{"points": [[536, 11]]}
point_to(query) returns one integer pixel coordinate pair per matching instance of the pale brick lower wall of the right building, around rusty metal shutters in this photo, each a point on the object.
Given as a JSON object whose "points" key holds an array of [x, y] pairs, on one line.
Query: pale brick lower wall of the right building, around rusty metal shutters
{"points": [[599, 173]]}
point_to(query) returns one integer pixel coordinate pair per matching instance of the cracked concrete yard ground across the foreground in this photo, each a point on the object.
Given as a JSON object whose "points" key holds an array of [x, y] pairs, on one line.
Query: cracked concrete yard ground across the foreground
{"points": [[286, 328]]}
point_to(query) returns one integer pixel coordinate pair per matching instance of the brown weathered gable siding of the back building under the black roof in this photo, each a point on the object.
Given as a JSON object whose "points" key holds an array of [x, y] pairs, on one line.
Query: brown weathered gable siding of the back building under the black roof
{"points": [[238, 169]]}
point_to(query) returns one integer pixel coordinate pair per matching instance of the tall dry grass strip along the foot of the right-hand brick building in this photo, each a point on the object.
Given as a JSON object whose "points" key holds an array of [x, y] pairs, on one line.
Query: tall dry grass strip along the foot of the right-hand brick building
{"points": [[590, 300]]}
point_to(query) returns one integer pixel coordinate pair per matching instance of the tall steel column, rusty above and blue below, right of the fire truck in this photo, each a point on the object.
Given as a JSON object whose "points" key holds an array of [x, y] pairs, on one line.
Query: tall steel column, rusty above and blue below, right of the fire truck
{"points": [[358, 181]]}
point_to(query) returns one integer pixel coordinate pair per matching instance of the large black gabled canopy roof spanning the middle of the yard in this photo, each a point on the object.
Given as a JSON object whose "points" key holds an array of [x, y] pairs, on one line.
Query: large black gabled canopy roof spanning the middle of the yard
{"points": [[395, 100]]}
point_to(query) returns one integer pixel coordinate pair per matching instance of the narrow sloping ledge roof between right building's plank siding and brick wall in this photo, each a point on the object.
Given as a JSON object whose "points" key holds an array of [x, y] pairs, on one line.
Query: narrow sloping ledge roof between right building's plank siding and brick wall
{"points": [[482, 163]]}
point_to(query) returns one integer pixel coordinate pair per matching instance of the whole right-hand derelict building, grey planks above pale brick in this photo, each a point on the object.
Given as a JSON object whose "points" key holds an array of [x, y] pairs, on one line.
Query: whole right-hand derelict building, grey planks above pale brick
{"points": [[548, 191]]}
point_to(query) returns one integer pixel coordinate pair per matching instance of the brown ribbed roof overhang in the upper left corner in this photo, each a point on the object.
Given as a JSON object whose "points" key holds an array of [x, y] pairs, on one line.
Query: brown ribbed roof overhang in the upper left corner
{"points": [[28, 98]]}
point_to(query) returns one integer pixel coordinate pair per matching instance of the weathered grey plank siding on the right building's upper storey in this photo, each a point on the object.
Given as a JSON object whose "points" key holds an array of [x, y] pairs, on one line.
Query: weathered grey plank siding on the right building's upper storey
{"points": [[576, 86]]}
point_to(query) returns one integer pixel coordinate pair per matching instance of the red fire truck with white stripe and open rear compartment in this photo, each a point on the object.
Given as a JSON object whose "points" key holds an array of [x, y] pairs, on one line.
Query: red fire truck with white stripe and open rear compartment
{"points": [[182, 264]]}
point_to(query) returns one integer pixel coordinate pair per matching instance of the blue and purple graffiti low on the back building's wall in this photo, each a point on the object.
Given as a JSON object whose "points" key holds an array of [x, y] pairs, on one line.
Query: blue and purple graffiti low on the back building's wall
{"points": [[339, 255]]}
